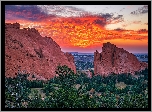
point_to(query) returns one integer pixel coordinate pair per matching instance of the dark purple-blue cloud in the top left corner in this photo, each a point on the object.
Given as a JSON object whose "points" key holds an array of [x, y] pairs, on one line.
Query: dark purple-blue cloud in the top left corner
{"points": [[29, 12]]}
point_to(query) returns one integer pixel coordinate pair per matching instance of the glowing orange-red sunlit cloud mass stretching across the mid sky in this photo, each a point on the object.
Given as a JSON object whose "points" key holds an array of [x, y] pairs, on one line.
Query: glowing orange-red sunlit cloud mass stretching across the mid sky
{"points": [[82, 32]]}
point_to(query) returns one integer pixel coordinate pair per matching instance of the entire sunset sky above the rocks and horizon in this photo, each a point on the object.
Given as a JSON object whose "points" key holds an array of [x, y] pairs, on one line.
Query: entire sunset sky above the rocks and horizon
{"points": [[84, 28]]}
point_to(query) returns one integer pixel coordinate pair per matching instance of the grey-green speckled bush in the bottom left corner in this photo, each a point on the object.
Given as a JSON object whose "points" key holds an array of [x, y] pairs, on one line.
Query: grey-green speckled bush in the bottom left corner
{"points": [[16, 91]]}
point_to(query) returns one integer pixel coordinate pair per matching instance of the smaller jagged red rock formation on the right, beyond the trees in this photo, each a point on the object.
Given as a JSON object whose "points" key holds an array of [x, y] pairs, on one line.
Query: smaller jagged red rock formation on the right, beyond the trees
{"points": [[116, 60]]}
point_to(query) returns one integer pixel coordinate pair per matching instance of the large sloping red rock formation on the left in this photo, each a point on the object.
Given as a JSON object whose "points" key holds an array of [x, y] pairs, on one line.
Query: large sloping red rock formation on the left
{"points": [[26, 49]]}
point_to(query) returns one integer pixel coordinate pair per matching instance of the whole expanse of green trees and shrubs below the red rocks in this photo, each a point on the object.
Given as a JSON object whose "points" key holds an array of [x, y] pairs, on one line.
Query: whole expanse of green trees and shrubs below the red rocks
{"points": [[70, 90]]}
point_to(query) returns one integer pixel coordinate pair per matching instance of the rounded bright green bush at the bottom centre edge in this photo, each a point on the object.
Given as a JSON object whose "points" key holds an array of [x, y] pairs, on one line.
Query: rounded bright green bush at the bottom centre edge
{"points": [[70, 98]]}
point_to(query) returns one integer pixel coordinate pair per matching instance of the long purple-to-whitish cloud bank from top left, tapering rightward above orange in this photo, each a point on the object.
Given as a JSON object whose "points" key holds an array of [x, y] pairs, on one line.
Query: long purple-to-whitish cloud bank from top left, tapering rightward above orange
{"points": [[39, 12]]}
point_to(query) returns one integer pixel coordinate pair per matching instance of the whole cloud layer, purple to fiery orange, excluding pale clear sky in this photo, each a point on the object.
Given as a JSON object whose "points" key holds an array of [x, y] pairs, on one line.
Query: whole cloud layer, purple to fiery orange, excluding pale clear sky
{"points": [[73, 27]]}
